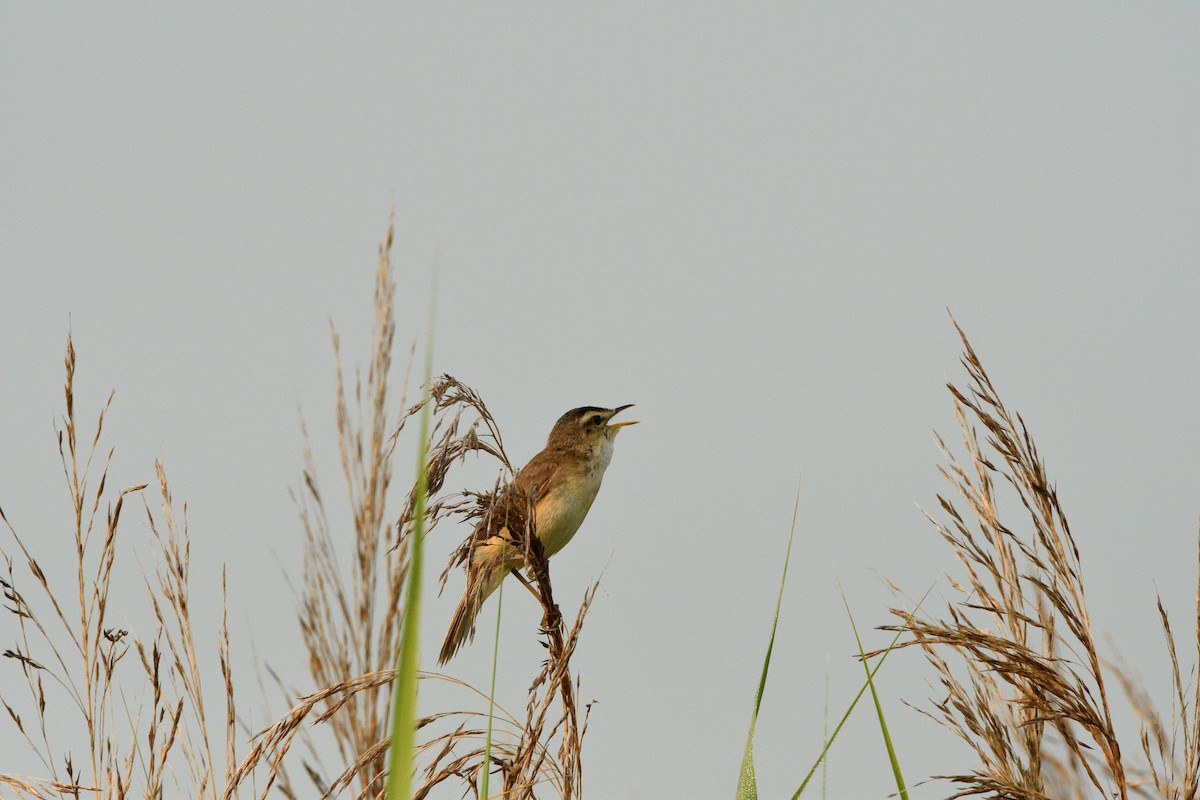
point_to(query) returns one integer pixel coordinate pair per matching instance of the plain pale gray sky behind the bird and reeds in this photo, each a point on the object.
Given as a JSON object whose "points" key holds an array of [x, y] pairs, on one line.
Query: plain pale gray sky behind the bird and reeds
{"points": [[748, 221]]}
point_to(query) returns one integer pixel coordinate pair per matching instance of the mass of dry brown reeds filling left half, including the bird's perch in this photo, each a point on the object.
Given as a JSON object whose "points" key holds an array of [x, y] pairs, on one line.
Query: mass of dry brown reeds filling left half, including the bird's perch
{"points": [[146, 725]]}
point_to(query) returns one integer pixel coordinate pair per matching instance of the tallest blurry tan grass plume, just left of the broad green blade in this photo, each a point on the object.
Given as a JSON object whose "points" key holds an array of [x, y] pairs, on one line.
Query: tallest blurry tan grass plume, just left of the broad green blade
{"points": [[351, 619]]}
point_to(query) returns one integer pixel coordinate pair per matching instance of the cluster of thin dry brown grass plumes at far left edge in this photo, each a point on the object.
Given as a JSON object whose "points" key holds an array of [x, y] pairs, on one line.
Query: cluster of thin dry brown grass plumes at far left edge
{"points": [[70, 652]]}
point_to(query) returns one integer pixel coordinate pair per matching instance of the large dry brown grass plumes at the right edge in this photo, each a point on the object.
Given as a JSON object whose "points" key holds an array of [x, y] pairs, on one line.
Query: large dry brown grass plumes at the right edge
{"points": [[1017, 659]]}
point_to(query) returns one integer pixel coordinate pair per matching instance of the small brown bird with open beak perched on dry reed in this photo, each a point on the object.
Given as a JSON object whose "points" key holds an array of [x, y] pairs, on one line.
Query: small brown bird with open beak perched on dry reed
{"points": [[561, 483]]}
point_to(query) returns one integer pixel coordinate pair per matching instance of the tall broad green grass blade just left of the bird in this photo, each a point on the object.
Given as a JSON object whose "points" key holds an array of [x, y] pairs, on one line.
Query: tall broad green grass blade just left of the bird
{"points": [[403, 751]]}
